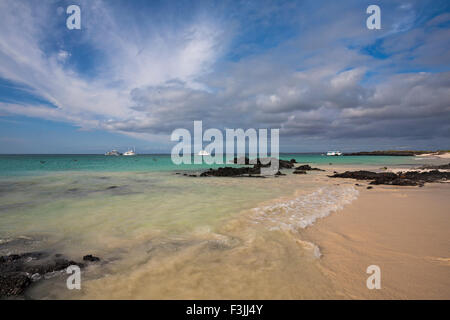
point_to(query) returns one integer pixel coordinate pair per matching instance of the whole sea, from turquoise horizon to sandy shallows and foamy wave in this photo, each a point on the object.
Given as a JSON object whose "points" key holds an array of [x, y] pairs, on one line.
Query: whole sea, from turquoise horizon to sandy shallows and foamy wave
{"points": [[163, 235]]}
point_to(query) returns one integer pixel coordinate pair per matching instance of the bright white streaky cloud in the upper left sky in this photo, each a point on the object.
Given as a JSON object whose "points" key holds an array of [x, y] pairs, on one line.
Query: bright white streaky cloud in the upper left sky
{"points": [[132, 61]]}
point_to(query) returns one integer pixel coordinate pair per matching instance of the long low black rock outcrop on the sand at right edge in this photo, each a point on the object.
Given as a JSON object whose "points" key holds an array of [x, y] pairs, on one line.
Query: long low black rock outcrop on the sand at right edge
{"points": [[411, 178]]}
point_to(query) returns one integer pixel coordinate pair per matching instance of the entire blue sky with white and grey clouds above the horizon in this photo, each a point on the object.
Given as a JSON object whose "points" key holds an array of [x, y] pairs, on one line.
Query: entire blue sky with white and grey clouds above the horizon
{"points": [[137, 70]]}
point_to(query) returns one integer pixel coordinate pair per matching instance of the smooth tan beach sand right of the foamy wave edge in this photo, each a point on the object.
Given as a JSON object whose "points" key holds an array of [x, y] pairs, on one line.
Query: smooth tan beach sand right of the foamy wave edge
{"points": [[403, 230]]}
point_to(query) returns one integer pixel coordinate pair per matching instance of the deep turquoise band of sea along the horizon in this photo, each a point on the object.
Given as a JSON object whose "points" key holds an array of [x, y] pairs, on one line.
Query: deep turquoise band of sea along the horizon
{"points": [[34, 164]]}
